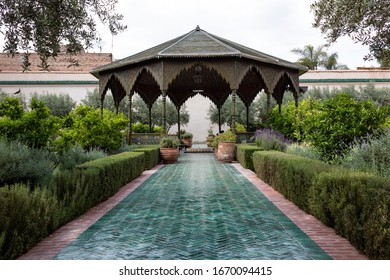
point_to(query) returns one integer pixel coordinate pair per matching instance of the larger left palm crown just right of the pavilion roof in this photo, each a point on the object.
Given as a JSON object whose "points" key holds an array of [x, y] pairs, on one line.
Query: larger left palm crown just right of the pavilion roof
{"points": [[311, 57]]}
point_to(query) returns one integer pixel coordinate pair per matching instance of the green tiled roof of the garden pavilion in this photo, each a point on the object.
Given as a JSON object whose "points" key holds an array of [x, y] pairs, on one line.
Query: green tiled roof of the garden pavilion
{"points": [[197, 44]]}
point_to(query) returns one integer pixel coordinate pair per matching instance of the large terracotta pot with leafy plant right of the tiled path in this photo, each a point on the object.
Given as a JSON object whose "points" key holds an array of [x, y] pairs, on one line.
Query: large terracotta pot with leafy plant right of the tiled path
{"points": [[224, 146]]}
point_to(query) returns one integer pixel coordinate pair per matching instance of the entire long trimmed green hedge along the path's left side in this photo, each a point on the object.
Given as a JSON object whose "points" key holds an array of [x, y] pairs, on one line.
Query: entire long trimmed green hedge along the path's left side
{"points": [[26, 217]]}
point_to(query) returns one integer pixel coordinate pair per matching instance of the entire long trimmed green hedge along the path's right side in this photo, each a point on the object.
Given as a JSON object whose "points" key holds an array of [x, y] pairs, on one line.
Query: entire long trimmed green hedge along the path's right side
{"points": [[356, 204]]}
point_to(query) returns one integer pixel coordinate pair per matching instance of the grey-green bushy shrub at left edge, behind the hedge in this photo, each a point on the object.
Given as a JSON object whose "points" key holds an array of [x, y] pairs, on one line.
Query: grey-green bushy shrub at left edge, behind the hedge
{"points": [[21, 164]]}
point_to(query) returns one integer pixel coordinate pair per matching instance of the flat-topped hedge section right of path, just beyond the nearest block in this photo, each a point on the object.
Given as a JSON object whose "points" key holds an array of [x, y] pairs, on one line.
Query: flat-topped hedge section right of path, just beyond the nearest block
{"points": [[291, 175]]}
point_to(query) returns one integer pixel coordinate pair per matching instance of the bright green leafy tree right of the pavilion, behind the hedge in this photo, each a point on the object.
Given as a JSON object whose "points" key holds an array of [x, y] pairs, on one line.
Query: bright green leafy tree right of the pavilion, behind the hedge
{"points": [[332, 125]]}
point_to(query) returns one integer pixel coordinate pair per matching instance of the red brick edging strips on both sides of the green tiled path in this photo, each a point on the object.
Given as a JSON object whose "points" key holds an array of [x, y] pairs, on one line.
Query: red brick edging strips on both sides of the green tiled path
{"points": [[335, 246]]}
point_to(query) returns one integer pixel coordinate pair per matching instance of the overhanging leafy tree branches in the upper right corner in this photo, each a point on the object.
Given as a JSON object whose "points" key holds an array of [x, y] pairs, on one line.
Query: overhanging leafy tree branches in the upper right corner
{"points": [[365, 21]]}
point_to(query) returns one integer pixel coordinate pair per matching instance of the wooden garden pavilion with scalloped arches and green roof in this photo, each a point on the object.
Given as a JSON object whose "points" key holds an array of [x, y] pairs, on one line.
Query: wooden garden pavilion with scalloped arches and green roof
{"points": [[198, 63]]}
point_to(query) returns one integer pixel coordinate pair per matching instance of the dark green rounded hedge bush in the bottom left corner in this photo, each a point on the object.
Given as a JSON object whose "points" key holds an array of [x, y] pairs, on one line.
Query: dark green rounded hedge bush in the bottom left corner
{"points": [[26, 217]]}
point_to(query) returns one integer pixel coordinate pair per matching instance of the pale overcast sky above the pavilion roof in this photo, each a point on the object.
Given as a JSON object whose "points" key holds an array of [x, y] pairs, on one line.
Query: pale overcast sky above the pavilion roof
{"points": [[270, 26]]}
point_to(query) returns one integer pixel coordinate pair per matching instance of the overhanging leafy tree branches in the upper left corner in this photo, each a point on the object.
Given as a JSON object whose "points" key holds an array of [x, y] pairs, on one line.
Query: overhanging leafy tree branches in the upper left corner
{"points": [[43, 25]]}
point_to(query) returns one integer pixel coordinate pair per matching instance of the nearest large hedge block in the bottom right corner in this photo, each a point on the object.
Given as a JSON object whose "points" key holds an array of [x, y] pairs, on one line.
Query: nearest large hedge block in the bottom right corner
{"points": [[357, 205]]}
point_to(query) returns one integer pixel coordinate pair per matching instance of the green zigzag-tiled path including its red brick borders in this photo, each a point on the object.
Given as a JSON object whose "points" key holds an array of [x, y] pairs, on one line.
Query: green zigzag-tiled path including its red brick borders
{"points": [[197, 208]]}
